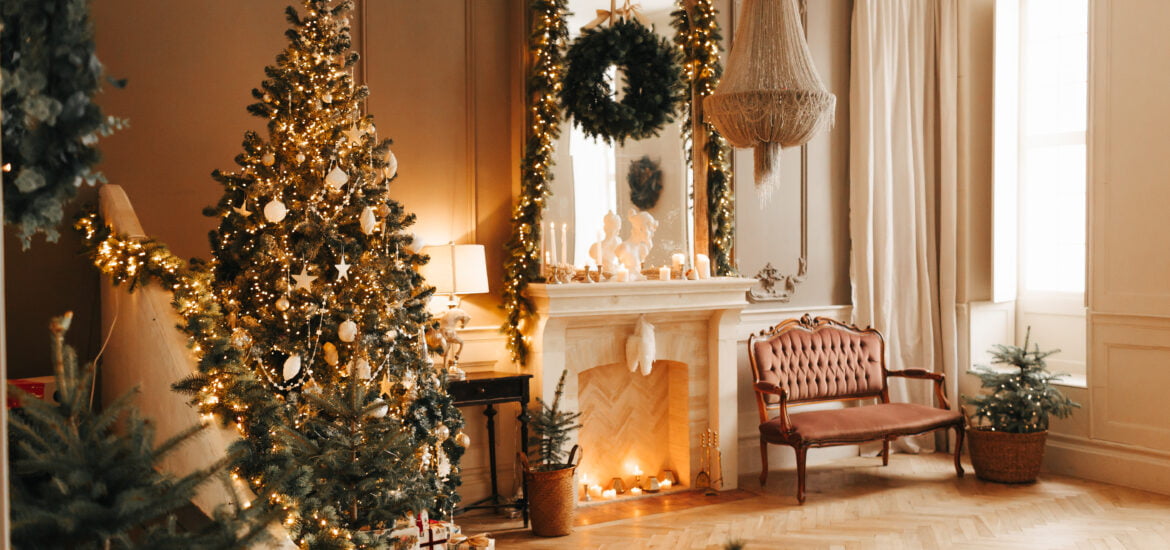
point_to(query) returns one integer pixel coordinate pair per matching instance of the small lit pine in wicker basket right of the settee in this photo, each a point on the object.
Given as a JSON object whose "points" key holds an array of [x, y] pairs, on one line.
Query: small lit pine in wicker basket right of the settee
{"points": [[1010, 425]]}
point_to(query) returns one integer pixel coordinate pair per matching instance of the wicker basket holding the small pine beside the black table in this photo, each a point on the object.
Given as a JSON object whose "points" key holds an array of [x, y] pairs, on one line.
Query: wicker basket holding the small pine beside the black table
{"points": [[552, 497]]}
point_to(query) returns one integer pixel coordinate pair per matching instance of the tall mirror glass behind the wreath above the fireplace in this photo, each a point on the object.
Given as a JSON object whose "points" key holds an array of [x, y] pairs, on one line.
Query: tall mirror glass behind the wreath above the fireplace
{"points": [[593, 177]]}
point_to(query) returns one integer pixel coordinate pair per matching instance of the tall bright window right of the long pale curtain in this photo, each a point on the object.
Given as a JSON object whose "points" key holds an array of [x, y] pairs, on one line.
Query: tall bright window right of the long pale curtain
{"points": [[1042, 92]]}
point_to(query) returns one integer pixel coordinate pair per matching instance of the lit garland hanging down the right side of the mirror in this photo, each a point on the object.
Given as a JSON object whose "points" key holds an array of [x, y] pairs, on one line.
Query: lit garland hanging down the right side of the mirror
{"points": [[698, 36]]}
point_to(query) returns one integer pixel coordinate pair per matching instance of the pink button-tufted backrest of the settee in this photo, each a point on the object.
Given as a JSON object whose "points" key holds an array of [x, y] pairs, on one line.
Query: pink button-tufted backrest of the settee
{"points": [[825, 363]]}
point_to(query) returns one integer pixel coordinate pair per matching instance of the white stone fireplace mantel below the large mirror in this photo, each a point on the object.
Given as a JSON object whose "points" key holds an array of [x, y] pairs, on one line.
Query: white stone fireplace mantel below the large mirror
{"points": [[582, 326]]}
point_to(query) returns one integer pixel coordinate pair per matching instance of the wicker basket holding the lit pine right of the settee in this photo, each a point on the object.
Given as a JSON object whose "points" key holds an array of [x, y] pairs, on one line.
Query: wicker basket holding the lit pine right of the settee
{"points": [[1007, 458]]}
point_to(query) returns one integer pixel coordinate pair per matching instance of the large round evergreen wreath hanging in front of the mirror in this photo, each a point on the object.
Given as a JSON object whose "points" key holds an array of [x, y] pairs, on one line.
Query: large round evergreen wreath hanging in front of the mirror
{"points": [[652, 82]]}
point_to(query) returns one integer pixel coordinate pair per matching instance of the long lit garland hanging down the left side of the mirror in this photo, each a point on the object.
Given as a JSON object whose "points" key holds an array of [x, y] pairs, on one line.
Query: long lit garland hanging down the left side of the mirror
{"points": [[522, 263]]}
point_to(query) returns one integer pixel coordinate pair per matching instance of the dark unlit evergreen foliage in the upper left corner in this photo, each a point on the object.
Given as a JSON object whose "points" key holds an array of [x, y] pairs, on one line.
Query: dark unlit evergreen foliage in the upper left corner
{"points": [[51, 75]]}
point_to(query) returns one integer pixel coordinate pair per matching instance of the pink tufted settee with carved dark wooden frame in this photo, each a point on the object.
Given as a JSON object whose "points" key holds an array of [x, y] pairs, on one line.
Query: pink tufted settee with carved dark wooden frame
{"points": [[821, 360]]}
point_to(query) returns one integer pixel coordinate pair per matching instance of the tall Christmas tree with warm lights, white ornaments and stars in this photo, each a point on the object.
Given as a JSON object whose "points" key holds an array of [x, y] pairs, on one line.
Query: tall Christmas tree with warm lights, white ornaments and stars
{"points": [[346, 418]]}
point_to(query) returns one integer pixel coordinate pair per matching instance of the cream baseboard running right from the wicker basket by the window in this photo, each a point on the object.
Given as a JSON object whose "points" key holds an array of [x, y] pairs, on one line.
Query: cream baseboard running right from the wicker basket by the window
{"points": [[1110, 463]]}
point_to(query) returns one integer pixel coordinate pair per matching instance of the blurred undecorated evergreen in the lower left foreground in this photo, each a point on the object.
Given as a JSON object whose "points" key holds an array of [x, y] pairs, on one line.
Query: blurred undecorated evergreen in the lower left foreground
{"points": [[86, 479]]}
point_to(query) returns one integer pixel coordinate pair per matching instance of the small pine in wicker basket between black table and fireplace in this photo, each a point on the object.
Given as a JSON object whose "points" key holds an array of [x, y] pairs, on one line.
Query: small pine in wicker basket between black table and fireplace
{"points": [[548, 473]]}
